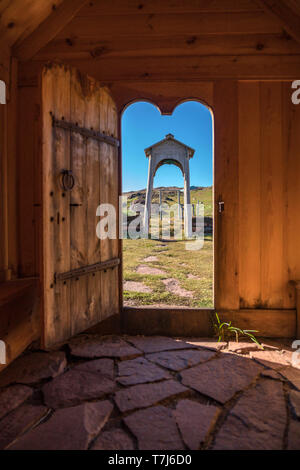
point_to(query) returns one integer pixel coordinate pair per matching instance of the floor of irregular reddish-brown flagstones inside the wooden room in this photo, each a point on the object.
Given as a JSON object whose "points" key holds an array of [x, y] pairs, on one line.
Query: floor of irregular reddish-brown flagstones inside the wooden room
{"points": [[153, 393]]}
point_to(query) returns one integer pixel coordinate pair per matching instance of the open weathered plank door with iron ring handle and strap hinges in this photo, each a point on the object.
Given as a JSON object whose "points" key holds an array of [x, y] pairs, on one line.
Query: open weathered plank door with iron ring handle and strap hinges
{"points": [[80, 171]]}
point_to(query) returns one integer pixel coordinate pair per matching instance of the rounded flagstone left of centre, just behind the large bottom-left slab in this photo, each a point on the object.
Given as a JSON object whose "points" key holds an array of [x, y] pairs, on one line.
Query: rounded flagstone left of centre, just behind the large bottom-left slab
{"points": [[76, 386]]}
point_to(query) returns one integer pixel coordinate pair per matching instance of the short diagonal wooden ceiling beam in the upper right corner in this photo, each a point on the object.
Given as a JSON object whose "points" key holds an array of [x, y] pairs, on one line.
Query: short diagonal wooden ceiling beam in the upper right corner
{"points": [[288, 17]]}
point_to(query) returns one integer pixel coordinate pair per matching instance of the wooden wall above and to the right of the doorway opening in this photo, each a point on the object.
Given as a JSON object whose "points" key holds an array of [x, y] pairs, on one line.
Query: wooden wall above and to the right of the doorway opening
{"points": [[257, 175]]}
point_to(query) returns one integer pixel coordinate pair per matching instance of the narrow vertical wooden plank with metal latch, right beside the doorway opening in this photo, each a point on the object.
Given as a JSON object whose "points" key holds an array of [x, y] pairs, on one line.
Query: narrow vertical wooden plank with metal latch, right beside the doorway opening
{"points": [[226, 189]]}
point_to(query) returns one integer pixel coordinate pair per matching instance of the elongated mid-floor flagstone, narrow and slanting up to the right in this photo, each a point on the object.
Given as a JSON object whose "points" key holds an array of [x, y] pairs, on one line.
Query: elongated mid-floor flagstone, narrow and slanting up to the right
{"points": [[142, 396]]}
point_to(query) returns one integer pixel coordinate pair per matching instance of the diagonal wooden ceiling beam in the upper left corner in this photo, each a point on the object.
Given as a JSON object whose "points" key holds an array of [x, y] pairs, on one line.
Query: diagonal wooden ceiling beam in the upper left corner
{"points": [[48, 29]]}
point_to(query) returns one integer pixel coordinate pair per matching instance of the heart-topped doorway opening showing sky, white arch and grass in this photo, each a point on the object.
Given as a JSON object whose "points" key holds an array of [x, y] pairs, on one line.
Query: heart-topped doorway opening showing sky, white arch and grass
{"points": [[159, 272]]}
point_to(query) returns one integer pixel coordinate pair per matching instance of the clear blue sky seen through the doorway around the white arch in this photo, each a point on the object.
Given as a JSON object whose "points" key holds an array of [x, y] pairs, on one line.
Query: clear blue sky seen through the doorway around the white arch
{"points": [[143, 125]]}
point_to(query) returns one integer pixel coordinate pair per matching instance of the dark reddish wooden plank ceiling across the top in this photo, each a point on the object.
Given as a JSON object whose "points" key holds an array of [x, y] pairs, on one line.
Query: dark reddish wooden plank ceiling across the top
{"points": [[138, 39]]}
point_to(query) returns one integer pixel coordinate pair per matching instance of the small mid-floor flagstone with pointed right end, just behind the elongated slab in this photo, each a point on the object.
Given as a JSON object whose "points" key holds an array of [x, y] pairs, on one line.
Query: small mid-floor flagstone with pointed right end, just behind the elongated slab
{"points": [[139, 371]]}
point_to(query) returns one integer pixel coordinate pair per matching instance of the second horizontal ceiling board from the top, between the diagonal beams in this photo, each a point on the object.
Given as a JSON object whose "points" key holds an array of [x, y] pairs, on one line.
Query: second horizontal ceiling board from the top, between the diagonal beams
{"points": [[186, 23]]}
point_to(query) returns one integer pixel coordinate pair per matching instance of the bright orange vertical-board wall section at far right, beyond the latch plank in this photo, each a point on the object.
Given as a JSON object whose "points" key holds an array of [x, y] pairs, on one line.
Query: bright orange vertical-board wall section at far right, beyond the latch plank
{"points": [[269, 194]]}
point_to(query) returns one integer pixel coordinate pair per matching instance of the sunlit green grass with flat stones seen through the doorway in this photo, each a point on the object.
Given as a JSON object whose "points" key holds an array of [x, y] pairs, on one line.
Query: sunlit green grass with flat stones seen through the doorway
{"points": [[189, 272]]}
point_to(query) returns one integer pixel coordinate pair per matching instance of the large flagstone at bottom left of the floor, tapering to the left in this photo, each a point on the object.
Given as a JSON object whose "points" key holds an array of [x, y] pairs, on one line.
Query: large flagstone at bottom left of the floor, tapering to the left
{"points": [[68, 429]]}
